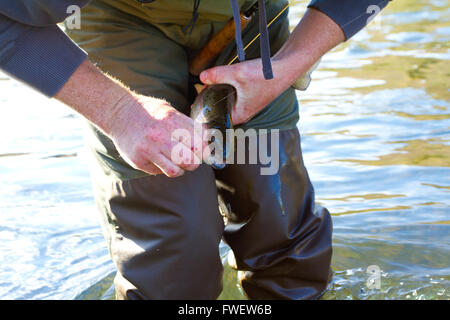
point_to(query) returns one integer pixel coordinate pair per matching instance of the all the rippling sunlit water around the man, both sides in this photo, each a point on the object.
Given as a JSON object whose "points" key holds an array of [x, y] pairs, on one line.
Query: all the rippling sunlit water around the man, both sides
{"points": [[375, 136]]}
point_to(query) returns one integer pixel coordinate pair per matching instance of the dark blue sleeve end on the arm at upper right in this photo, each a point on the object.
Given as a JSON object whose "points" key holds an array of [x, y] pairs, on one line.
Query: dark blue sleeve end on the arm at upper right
{"points": [[350, 15]]}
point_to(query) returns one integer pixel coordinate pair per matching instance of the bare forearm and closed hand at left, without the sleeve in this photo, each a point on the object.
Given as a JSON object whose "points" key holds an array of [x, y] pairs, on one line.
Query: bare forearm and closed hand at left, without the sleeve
{"points": [[141, 127]]}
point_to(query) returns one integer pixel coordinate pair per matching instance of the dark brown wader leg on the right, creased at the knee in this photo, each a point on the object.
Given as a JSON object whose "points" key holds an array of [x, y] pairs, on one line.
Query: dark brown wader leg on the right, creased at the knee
{"points": [[279, 237]]}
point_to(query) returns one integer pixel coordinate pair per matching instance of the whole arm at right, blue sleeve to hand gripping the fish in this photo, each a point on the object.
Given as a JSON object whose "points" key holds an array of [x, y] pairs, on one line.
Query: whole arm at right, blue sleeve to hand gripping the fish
{"points": [[326, 24]]}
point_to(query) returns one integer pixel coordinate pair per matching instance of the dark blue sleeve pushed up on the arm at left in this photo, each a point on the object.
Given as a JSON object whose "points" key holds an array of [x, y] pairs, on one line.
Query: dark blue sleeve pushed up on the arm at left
{"points": [[39, 53]]}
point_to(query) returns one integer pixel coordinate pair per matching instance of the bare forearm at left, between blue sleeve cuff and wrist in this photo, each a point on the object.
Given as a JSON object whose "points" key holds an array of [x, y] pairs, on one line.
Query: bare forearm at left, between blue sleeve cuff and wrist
{"points": [[96, 96]]}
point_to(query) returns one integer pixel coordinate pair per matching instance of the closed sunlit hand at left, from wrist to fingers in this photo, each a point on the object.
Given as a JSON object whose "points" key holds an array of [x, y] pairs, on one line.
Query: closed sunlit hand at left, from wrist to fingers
{"points": [[142, 130]]}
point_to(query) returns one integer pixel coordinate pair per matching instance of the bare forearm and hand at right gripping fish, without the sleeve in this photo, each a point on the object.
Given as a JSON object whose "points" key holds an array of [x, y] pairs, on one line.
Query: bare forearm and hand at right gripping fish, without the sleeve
{"points": [[315, 35]]}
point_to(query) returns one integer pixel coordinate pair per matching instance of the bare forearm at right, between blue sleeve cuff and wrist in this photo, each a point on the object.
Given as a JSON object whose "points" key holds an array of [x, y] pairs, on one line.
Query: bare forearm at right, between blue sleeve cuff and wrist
{"points": [[315, 35]]}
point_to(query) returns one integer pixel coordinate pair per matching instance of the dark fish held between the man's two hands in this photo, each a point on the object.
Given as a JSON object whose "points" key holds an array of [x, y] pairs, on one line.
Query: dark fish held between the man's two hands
{"points": [[212, 108]]}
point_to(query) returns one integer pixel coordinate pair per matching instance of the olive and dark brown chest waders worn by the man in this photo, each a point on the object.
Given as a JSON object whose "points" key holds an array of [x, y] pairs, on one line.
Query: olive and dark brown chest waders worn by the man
{"points": [[163, 234]]}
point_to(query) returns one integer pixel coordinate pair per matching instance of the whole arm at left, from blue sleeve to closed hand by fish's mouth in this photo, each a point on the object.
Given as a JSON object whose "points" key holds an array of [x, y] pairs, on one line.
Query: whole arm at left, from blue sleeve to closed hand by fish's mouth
{"points": [[35, 51]]}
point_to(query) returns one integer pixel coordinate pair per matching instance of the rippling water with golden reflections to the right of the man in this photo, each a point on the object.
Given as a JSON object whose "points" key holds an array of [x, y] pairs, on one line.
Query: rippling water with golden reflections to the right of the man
{"points": [[375, 127]]}
